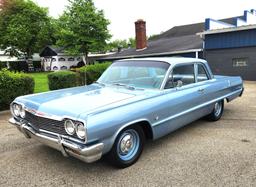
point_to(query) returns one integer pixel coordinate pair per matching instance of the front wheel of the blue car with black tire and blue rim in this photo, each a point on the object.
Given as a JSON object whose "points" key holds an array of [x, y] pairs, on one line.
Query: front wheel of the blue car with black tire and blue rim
{"points": [[128, 147]]}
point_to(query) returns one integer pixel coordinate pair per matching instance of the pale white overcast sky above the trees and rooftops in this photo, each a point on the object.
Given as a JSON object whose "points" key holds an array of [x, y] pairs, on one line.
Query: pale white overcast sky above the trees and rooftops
{"points": [[160, 15]]}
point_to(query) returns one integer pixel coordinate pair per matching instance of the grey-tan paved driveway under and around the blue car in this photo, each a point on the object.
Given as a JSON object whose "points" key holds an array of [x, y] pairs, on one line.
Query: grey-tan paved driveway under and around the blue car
{"points": [[201, 154]]}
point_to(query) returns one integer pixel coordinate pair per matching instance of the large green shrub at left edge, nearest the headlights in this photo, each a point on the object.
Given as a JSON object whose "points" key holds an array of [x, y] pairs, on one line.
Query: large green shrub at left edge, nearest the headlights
{"points": [[13, 85]]}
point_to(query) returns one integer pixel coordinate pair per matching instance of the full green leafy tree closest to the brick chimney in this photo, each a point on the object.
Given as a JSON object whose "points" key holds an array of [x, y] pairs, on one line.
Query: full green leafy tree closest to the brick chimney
{"points": [[83, 28]]}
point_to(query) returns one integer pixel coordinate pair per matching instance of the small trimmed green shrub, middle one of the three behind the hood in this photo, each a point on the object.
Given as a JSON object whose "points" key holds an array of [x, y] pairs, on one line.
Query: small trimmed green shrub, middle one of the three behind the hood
{"points": [[62, 79]]}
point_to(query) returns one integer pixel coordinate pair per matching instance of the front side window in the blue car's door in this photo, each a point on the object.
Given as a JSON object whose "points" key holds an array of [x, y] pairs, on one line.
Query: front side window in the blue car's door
{"points": [[181, 75]]}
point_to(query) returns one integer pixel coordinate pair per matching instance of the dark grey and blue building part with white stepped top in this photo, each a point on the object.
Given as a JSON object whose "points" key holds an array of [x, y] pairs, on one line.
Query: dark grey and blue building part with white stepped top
{"points": [[230, 48]]}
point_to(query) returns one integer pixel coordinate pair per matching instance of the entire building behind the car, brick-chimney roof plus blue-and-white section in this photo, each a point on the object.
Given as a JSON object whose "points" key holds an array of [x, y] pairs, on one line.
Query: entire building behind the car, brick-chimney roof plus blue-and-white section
{"points": [[229, 45]]}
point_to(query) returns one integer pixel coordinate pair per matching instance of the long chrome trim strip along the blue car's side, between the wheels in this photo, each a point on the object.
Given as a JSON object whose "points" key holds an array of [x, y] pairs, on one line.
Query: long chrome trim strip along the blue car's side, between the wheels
{"points": [[195, 108]]}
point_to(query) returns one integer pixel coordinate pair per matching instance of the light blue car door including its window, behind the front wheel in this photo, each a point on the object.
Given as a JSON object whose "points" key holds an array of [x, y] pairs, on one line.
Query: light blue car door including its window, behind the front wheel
{"points": [[182, 98]]}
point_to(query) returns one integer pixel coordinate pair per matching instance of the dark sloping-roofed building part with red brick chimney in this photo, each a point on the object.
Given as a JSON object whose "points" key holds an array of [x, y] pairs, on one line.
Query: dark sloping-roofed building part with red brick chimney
{"points": [[180, 40]]}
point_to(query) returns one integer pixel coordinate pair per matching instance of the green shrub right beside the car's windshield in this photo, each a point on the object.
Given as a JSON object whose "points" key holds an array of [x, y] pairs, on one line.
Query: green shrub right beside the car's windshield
{"points": [[90, 73]]}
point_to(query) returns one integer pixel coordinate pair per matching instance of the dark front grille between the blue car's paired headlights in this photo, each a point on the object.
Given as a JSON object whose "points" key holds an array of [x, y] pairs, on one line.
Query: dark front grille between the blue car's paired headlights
{"points": [[46, 124]]}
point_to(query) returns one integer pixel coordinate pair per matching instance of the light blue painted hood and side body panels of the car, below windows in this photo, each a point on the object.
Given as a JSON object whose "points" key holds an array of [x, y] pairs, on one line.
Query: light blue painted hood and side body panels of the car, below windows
{"points": [[109, 109]]}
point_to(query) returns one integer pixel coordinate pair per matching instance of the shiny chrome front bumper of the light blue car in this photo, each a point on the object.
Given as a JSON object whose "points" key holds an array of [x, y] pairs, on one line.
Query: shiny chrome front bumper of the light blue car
{"points": [[85, 153]]}
